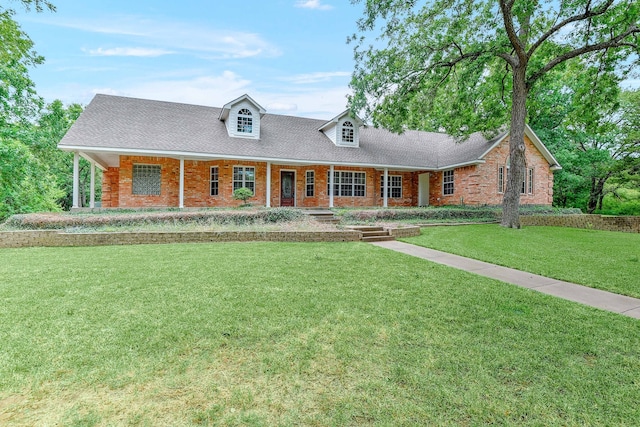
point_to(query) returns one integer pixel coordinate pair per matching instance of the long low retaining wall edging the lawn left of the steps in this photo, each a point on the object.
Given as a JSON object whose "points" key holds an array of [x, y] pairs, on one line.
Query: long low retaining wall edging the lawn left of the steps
{"points": [[55, 238]]}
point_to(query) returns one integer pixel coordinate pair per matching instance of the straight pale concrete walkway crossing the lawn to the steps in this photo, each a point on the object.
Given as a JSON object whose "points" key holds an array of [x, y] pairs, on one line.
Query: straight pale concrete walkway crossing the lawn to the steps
{"points": [[570, 291]]}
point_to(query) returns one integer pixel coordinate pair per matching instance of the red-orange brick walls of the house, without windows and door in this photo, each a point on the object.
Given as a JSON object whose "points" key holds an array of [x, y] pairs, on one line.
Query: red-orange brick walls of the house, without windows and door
{"points": [[473, 185]]}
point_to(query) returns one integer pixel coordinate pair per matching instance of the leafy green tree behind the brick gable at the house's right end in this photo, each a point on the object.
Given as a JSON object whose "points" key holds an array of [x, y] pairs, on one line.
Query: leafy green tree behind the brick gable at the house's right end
{"points": [[590, 129]]}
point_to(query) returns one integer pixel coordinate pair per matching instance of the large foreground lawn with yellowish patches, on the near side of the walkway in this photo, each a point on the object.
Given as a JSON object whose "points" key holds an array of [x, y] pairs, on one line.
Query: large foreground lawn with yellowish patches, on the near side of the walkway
{"points": [[271, 334]]}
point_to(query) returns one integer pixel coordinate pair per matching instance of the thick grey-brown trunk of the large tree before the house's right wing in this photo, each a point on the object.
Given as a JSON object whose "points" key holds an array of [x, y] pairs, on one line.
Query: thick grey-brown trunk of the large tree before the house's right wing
{"points": [[511, 200]]}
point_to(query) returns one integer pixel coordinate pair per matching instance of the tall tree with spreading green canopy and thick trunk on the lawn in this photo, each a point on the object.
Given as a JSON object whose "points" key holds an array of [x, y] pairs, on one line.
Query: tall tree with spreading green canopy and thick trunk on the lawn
{"points": [[465, 65]]}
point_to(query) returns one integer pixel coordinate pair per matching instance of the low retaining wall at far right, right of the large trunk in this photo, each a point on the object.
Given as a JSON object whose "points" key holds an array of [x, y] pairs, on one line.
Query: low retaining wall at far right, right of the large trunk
{"points": [[627, 224]]}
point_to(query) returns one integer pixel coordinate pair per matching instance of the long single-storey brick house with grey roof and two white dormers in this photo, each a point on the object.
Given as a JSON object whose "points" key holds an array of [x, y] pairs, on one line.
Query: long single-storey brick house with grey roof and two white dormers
{"points": [[162, 154]]}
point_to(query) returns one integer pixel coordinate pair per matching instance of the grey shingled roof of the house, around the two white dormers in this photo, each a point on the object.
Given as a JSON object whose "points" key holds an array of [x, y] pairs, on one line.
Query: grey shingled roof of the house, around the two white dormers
{"points": [[127, 125]]}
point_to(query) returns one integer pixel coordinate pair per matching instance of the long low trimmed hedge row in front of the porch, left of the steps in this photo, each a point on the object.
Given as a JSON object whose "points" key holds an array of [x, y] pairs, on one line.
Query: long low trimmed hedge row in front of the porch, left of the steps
{"points": [[236, 217]]}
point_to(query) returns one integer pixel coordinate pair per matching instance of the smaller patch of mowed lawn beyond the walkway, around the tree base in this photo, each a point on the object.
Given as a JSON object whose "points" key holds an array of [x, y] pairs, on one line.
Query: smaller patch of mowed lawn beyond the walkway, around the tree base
{"points": [[604, 260]]}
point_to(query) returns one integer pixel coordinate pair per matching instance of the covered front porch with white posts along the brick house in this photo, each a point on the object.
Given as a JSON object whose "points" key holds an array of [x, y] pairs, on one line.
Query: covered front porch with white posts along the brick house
{"points": [[185, 181]]}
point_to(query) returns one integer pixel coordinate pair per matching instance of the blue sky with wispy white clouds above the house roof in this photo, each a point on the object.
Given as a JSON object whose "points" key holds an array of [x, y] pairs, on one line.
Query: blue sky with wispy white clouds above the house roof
{"points": [[291, 56]]}
